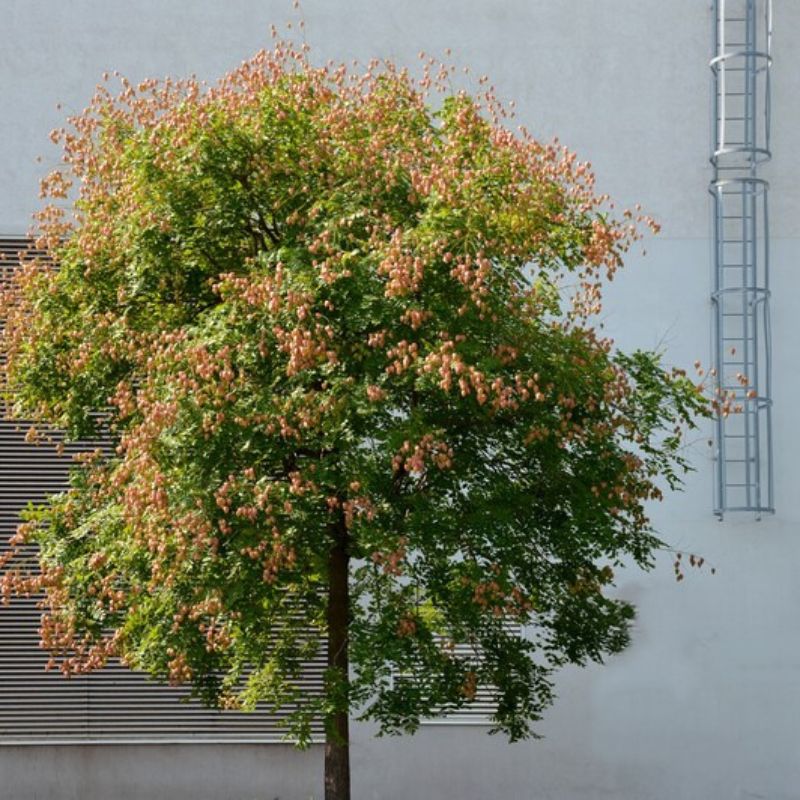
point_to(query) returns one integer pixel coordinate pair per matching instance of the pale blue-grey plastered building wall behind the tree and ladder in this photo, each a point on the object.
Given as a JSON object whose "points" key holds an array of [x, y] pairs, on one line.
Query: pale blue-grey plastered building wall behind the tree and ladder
{"points": [[705, 704]]}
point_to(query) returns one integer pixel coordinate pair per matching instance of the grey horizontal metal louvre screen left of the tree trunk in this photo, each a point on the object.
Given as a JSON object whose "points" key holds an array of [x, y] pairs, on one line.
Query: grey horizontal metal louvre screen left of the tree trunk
{"points": [[114, 705]]}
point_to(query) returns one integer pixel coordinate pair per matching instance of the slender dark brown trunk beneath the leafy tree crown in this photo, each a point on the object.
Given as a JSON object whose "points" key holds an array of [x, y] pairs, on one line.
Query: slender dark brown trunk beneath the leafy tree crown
{"points": [[337, 734]]}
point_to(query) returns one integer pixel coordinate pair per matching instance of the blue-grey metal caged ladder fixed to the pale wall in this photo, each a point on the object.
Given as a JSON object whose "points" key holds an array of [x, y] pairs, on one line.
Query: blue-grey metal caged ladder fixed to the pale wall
{"points": [[741, 63]]}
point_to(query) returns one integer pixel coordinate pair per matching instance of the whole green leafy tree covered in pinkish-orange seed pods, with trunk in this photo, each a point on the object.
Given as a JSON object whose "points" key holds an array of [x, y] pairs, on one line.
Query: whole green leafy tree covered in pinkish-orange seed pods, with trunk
{"points": [[329, 330]]}
